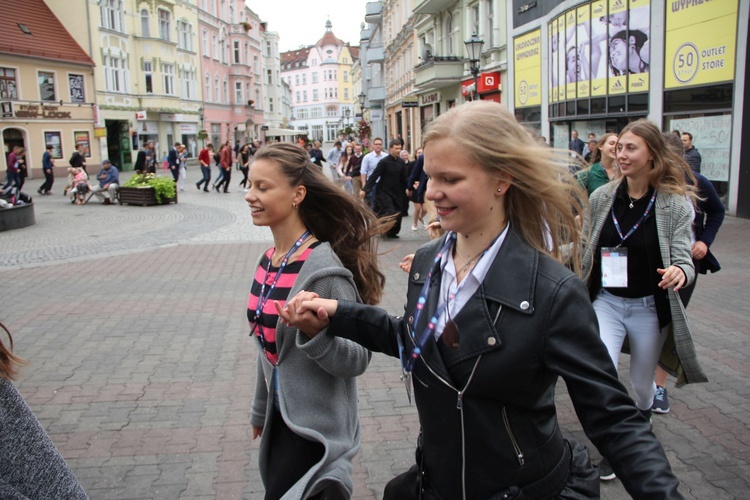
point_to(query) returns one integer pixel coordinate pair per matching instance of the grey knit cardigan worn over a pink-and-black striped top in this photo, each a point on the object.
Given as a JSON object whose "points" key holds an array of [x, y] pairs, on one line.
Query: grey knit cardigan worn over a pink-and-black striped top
{"points": [[317, 385]]}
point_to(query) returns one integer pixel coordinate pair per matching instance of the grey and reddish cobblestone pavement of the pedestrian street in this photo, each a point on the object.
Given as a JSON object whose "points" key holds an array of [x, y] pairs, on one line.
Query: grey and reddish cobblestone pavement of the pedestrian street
{"points": [[141, 370]]}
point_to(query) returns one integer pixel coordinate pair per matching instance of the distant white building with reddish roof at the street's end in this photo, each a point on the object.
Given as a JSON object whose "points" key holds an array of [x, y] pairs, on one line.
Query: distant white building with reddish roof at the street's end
{"points": [[319, 77]]}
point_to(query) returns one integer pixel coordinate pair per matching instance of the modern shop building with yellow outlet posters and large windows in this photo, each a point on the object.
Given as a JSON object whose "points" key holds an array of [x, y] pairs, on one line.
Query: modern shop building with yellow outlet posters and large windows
{"points": [[597, 65]]}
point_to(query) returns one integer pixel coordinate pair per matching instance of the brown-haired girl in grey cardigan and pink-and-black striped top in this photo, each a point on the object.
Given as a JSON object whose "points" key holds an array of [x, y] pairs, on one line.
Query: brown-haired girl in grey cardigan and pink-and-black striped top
{"points": [[305, 403]]}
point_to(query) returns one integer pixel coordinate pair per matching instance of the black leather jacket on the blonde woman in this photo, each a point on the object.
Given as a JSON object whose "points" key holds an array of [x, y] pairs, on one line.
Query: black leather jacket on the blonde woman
{"points": [[487, 407]]}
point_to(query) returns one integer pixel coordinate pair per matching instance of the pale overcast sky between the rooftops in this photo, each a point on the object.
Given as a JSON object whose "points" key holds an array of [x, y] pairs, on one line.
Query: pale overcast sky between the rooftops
{"points": [[302, 22]]}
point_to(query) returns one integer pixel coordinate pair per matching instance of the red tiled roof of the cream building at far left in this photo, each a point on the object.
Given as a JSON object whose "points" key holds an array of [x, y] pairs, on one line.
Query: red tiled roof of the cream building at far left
{"points": [[48, 39]]}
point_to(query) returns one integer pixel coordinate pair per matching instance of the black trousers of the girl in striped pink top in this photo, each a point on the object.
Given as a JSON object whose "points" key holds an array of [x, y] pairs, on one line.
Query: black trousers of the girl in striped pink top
{"points": [[291, 457]]}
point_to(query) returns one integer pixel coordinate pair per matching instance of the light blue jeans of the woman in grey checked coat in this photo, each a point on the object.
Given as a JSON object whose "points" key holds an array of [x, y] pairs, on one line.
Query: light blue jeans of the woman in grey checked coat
{"points": [[635, 318]]}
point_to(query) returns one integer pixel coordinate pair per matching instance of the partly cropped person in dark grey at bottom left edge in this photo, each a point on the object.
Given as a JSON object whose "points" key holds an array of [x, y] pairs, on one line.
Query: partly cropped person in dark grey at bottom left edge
{"points": [[30, 465]]}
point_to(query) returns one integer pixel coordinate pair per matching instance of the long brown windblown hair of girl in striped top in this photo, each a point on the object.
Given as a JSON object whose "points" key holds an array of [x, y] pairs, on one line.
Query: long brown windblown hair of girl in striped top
{"points": [[335, 216]]}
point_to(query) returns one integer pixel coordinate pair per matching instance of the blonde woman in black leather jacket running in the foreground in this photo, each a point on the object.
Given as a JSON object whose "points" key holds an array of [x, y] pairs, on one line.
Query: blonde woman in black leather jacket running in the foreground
{"points": [[492, 319]]}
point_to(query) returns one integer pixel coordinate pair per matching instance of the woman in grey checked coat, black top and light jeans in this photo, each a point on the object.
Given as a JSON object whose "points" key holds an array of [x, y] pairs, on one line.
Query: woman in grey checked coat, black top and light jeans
{"points": [[638, 256]]}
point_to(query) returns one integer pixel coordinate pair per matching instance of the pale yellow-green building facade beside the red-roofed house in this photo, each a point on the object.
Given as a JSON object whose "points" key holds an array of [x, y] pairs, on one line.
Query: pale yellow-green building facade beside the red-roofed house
{"points": [[146, 54]]}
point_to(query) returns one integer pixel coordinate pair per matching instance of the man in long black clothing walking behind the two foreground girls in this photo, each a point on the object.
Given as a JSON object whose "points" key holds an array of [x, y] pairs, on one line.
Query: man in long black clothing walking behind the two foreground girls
{"points": [[390, 178]]}
